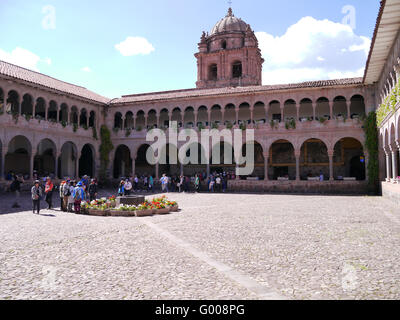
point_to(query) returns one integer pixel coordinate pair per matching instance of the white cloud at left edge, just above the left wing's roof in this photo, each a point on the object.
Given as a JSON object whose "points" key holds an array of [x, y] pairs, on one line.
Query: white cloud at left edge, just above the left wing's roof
{"points": [[23, 58]]}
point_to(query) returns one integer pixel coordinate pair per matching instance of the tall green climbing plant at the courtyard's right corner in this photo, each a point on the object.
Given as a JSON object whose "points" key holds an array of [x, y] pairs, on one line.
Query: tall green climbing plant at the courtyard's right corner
{"points": [[371, 144]]}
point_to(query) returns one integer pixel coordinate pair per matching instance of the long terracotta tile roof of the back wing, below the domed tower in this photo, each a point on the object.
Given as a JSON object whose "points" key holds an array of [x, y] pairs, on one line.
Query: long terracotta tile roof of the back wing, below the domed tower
{"points": [[193, 93]]}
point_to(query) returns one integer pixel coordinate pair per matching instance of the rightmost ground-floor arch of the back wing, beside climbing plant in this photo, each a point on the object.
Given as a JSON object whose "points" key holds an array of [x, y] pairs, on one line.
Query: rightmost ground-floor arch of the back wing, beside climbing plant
{"points": [[349, 159]]}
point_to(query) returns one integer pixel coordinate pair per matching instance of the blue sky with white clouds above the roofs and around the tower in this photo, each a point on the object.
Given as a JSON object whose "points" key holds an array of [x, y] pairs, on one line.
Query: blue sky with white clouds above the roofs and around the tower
{"points": [[75, 41]]}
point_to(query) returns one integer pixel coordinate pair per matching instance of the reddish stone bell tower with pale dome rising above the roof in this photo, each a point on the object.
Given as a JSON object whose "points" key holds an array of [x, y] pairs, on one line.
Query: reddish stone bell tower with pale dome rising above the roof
{"points": [[229, 56]]}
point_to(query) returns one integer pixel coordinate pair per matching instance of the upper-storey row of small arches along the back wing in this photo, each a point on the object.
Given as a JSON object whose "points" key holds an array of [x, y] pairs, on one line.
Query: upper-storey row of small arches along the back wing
{"points": [[230, 114]]}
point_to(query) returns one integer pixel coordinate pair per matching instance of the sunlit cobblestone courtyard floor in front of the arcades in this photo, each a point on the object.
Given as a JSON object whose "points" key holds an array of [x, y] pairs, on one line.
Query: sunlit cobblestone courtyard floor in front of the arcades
{"points": [[219, 246]]}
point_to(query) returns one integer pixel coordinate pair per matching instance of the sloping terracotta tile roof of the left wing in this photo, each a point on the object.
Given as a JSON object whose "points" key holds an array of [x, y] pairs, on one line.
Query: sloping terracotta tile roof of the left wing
{"points": [[20, 73]]}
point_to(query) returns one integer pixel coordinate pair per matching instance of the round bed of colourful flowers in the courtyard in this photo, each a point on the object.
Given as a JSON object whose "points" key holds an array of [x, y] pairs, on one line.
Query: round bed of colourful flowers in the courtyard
{"points": [[107, 207]]}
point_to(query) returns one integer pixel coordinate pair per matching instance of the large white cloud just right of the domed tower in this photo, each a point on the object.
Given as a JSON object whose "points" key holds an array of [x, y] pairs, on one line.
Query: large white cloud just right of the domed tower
{"points": [[313, 50]]}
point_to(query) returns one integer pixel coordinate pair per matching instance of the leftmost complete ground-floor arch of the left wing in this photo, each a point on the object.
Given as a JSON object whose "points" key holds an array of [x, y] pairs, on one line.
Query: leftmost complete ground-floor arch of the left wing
{"points": [[18, 157]]}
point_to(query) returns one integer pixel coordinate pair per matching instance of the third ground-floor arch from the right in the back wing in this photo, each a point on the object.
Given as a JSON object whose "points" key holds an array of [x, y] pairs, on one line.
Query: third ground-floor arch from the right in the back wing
{"points": [[282, 160]]}
